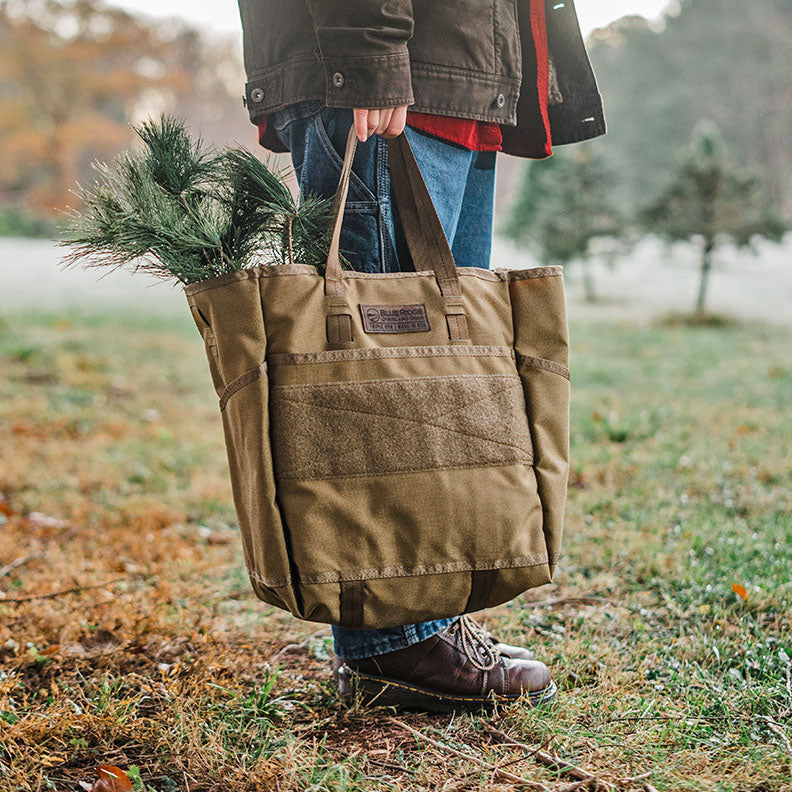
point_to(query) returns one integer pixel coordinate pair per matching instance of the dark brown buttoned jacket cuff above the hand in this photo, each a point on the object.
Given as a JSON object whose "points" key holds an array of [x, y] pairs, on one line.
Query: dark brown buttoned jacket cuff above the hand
{"points": [[369, 81]]}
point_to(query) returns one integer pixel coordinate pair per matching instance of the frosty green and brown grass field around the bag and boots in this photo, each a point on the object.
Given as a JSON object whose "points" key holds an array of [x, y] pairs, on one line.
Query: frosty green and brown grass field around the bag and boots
{"points": [[129, 636]]}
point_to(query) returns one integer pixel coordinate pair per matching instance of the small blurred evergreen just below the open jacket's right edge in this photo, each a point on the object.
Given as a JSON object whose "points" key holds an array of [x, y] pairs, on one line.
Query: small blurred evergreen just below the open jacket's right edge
{"points": [[563, 209]]}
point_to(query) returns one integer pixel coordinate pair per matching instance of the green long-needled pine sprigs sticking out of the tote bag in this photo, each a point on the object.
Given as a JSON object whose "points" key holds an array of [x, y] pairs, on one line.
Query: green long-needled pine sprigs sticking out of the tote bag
{"points": [[181, 210]]}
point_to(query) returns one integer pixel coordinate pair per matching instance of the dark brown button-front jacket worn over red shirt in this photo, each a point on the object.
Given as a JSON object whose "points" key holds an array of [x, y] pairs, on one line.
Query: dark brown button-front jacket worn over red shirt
{"points": [[464, 58]]}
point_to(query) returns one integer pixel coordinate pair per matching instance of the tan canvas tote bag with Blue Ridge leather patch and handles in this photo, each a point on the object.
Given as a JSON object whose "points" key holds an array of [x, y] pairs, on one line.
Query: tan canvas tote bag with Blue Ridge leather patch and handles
{"points": [[398, 442]]}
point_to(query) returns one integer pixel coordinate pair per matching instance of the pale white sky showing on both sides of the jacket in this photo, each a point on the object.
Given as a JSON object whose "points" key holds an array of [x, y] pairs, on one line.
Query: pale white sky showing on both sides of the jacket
{"points": [[222, 16]]}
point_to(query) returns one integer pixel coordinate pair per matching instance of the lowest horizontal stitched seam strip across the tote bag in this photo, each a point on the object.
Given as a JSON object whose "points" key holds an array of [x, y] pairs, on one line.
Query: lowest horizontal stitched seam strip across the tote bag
{"points": [[384, 573]]}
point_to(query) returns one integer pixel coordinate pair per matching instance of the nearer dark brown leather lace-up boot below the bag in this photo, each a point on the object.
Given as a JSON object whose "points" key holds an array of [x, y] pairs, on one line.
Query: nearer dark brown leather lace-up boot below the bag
{"points": [[460, 667]]}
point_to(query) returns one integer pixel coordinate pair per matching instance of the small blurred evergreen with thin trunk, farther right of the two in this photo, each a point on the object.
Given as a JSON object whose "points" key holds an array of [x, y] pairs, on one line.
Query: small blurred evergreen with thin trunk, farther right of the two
{"points": [[711, 200]]}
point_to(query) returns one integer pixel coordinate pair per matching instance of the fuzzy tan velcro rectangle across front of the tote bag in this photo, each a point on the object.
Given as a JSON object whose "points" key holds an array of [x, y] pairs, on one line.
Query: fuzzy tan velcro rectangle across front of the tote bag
{"points": [[397, 425]]}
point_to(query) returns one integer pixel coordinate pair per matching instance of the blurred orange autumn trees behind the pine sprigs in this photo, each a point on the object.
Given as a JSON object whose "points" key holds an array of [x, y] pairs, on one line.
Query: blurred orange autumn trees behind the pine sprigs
{"points": [[76, 75]]}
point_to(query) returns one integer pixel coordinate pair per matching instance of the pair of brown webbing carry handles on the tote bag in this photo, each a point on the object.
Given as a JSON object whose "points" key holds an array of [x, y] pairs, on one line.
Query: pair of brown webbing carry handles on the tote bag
{"points": [[423, 230]]}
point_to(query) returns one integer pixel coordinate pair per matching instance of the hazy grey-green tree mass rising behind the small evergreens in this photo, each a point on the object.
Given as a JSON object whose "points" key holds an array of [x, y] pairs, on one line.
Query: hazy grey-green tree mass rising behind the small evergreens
{"points": [[724, 60]]}
